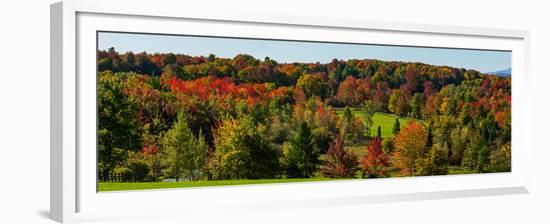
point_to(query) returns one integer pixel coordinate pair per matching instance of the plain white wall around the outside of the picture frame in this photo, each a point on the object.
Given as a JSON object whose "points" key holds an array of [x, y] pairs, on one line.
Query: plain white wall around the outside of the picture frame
{"points": [[24, 114]]}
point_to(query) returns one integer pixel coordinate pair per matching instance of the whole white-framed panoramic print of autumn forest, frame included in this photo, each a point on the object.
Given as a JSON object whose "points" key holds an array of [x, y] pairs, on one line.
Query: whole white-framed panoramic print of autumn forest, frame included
{"points": [[194, 110]]}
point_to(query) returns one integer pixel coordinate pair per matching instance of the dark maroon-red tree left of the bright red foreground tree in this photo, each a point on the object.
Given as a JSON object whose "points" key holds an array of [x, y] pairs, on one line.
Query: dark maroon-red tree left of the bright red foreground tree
{"points": [[339, 162]]}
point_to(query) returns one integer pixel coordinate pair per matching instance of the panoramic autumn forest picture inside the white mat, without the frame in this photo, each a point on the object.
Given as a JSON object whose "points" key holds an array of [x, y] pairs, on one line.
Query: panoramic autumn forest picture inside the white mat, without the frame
{"points": [[177, 111]]}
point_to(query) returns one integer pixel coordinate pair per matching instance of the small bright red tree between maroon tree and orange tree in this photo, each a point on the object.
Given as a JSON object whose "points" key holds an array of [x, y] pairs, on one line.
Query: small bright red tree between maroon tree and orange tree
{"points": [[375, 163]]}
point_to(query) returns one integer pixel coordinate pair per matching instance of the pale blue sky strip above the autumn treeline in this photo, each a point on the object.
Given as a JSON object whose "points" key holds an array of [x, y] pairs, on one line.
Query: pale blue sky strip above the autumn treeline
{"points": [[296, 51]]}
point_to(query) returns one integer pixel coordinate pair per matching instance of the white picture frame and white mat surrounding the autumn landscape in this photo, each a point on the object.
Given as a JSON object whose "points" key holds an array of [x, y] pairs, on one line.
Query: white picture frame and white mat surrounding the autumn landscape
{"points": [[74, 195]]}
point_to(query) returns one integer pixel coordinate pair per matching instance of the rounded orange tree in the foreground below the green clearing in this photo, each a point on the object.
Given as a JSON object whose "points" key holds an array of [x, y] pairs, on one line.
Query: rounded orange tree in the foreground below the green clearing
{"points": [[410, 146]]}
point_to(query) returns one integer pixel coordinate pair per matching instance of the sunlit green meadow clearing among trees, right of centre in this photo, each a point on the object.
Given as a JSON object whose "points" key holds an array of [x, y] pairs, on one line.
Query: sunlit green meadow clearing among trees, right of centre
{"points": [[384, 120]]}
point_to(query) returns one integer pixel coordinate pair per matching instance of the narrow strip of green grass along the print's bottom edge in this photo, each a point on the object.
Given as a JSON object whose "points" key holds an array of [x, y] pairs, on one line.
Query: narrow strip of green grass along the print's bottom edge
{"points": [[123, 186]]}
